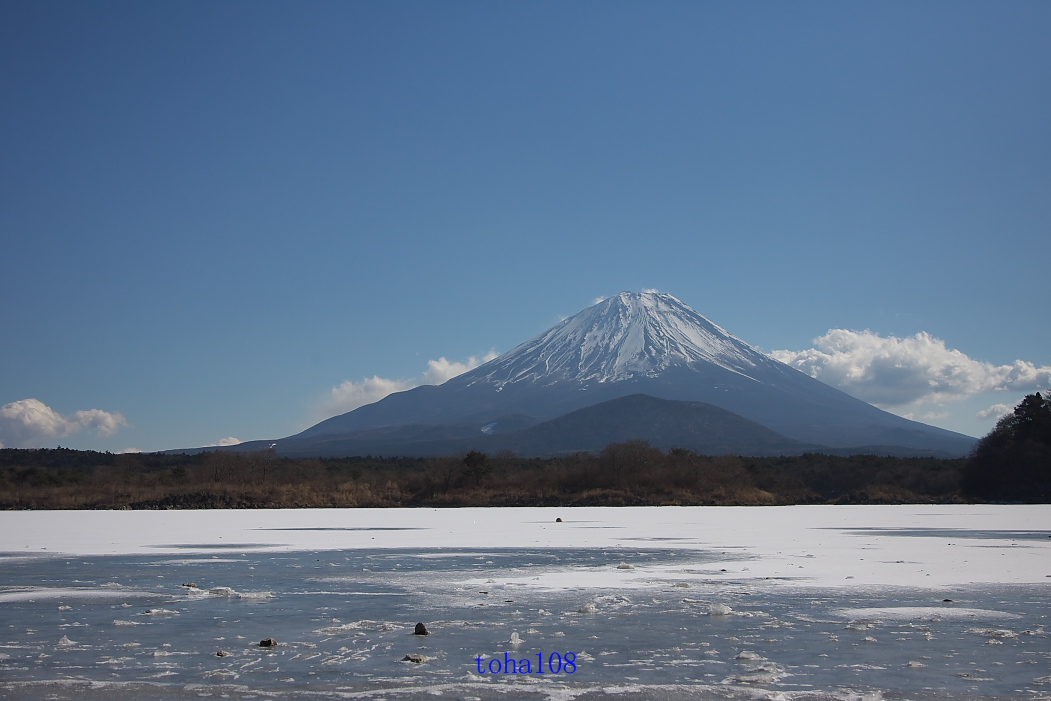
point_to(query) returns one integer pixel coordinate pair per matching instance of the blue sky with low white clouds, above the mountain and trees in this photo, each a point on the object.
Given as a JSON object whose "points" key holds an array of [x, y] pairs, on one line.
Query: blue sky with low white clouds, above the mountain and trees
{"points": [[229, 220]]}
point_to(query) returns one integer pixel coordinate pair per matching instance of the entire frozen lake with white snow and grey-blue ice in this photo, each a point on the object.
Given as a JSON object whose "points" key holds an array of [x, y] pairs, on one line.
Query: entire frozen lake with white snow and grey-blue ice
{"points": [[794, 603]]}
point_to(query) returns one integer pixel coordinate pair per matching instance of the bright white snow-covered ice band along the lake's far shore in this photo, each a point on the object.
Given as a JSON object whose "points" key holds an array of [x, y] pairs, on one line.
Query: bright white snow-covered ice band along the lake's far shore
{"points": [[906, 546]]}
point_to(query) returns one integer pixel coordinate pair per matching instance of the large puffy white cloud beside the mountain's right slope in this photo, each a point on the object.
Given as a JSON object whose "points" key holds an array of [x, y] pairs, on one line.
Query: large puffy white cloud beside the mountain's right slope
{"points": [[893, 373]]}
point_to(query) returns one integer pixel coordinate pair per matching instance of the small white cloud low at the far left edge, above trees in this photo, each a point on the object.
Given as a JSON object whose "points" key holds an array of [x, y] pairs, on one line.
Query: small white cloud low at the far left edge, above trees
{"points": [[30, 423]]}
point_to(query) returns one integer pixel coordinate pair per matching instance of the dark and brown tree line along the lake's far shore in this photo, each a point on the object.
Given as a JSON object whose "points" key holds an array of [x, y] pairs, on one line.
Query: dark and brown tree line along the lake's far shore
{"points": [[1012, 464]]}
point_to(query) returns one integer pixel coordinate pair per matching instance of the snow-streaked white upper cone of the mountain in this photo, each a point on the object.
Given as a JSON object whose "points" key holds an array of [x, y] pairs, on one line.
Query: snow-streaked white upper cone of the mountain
{"points": [[633, 335]]}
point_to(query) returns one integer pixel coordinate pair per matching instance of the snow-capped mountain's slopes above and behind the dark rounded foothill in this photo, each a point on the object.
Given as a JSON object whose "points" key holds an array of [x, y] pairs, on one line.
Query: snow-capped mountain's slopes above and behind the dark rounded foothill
{"points": [[644, 344]]}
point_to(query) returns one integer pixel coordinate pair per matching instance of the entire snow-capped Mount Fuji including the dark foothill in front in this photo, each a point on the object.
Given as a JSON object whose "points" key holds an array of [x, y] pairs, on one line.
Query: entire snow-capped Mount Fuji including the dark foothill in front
{"points": [[634, 366]]}
